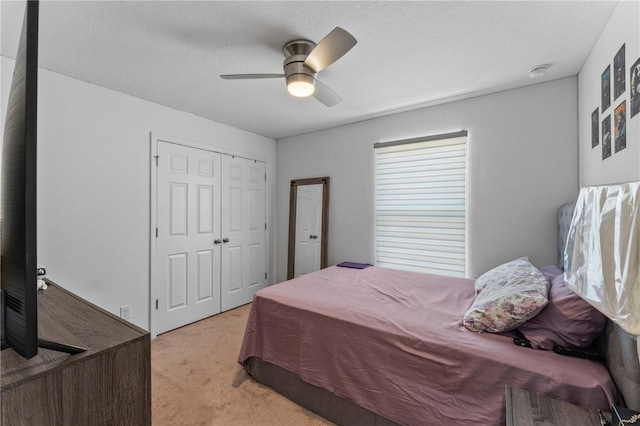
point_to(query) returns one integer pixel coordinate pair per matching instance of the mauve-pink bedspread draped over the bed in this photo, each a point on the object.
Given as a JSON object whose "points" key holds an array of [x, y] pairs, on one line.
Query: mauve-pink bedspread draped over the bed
{"points": [[393, 342]]}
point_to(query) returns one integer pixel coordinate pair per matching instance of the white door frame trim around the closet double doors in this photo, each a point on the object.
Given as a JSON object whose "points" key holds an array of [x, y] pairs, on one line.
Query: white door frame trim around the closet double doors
{"points": [[156, 137]]}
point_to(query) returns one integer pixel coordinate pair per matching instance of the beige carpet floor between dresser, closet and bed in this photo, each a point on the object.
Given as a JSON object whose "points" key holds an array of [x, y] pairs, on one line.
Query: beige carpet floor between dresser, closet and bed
{"points": [[196, 379]]}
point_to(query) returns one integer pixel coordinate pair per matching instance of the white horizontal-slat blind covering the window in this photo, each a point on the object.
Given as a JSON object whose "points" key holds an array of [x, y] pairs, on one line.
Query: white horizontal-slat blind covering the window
{"points": [[421, 204]]}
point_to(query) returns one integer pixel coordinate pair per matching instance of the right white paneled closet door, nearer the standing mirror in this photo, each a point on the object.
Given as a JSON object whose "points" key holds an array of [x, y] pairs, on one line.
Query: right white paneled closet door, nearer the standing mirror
{"points": [[244, 265]]}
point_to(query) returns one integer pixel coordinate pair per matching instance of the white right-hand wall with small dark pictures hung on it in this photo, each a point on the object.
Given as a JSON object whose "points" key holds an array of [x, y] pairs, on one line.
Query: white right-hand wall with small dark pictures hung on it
{"points": [[623, 28]]}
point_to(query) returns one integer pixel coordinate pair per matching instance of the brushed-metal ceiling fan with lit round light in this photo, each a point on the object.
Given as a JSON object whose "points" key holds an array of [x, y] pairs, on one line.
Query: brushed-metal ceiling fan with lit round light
{"points": [[304, 60]]}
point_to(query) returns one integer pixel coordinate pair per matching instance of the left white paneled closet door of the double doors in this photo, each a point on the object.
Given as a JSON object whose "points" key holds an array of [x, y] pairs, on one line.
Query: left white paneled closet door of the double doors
{"points": [[188, 259]]}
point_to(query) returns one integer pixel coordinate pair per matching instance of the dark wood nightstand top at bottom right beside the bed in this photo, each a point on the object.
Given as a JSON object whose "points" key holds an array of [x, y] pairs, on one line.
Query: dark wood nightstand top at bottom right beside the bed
{"points": [[526, 408]]}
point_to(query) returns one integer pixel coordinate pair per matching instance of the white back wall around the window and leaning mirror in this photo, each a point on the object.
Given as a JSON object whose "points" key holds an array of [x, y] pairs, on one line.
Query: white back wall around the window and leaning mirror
{"points": [[522, 161]]}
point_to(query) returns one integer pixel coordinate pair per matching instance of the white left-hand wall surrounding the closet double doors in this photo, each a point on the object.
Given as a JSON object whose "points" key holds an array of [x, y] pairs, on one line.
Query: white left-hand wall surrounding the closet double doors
{"points": [[94, 185]]}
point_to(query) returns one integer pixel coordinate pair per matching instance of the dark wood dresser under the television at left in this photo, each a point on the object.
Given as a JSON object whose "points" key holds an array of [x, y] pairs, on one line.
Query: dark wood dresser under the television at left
{"points": [[109, 384]]}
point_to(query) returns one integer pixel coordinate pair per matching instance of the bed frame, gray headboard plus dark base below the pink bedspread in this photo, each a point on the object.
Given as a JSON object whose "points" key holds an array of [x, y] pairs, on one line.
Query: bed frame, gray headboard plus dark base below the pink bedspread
{"points": [[620, 349]]}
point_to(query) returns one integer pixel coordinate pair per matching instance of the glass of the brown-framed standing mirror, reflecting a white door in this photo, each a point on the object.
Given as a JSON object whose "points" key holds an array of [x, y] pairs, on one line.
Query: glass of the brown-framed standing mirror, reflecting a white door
{"points": [[308, 229]]}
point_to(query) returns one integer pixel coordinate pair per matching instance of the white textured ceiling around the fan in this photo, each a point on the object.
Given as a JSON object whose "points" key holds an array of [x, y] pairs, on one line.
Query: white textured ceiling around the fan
{"points": [[409, 54]]}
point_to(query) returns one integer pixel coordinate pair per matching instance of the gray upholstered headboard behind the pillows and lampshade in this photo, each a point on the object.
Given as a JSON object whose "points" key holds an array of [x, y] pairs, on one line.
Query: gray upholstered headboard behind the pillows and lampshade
{"points": [[620, 347]]}
